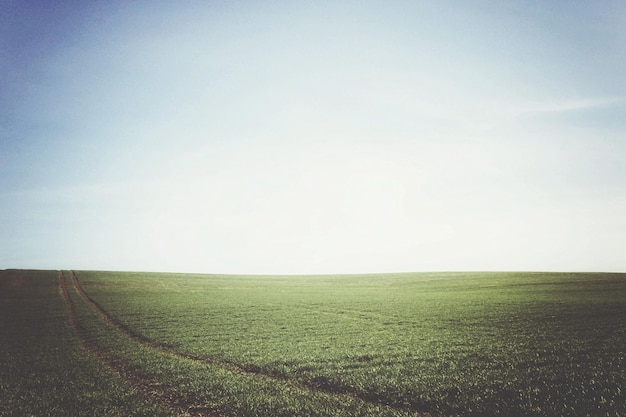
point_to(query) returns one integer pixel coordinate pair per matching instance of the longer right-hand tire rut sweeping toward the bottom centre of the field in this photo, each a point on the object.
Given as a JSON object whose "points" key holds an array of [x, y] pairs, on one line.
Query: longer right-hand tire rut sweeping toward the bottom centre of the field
{"points": [[231, 366]]}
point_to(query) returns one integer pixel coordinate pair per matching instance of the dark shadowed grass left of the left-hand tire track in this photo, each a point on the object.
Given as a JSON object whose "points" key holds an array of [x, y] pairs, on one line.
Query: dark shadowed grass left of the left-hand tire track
{"points": [[44, 371]]}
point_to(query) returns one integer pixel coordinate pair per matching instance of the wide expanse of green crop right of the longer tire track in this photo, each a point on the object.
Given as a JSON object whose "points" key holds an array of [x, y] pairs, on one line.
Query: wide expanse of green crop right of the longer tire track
{"points": [[448, 344]]}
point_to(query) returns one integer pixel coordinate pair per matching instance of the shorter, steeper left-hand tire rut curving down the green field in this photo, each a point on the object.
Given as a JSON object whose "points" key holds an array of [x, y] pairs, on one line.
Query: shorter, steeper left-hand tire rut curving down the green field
{"points": [[149, 387]]}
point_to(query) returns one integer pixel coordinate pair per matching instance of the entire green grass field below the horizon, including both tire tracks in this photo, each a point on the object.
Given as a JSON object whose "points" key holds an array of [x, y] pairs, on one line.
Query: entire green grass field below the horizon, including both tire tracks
{"points": [[424, 344]]}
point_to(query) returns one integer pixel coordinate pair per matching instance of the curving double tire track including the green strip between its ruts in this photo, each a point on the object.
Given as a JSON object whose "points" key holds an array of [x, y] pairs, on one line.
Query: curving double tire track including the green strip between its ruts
{"points": [[217, 387]]}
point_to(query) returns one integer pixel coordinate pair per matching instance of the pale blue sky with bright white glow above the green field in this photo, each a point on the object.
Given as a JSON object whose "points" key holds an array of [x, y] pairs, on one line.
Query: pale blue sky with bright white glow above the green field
{"points": [[283, 137]]}
